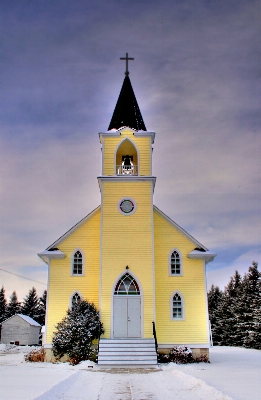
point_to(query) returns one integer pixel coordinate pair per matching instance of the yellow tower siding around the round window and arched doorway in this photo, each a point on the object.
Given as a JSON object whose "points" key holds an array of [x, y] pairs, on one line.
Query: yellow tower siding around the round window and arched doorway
{"points": [[127, 240]]}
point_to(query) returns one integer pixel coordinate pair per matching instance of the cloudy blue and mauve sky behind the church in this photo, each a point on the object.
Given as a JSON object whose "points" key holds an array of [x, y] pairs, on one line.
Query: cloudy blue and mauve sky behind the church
{"points": [[197, 79]]}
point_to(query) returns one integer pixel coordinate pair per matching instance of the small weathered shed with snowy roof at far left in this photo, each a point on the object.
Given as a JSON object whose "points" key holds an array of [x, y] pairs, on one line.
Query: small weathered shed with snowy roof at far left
{"points": [[21, 330]]}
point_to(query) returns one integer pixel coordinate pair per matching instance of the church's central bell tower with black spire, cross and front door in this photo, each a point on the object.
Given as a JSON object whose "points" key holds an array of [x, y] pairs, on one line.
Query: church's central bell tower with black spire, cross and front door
{"points": [[127, 233]]}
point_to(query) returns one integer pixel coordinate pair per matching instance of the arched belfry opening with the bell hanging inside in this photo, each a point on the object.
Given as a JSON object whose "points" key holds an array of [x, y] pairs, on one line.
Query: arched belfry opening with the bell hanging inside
{"points": [[126, 159]]}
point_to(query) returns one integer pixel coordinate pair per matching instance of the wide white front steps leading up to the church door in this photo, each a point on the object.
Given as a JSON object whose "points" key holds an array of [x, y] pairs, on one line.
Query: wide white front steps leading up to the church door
{"points": [[139, 352]]}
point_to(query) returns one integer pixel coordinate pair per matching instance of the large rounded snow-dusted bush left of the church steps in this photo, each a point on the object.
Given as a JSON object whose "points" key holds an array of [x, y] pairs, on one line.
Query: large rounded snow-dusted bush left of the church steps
{"points": [[75, 333]]}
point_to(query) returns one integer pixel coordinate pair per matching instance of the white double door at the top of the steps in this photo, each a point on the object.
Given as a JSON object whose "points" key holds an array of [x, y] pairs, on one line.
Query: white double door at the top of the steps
{"points": [[126, 316]]}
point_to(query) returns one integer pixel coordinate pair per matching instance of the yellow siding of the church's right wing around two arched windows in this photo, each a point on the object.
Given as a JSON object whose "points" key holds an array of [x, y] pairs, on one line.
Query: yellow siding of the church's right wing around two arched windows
{"points": [[193, 329]]}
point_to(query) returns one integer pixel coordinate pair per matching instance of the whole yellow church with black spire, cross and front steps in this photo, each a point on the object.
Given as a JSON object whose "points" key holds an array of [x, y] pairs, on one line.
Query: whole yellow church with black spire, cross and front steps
{"points": [[145, 274]]}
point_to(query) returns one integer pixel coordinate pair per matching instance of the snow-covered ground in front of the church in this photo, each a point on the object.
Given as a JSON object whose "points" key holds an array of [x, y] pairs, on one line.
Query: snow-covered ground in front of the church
{"points": [[233, 373]]}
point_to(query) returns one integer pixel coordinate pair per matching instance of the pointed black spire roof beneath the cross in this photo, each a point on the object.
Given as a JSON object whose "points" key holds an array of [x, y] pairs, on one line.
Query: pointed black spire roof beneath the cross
{"points": [[127, 112]]}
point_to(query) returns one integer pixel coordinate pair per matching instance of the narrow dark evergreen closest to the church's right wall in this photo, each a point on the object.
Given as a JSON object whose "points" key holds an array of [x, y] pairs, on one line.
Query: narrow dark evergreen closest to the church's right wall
{"points": [[214, 300]]}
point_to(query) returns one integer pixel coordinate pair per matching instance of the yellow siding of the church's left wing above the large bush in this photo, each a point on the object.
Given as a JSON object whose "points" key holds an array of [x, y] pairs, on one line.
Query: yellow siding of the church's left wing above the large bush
{"points": [[62, 284]]}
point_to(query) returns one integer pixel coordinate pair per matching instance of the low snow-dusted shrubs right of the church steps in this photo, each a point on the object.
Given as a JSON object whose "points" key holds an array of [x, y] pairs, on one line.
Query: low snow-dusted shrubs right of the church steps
{"points": [[181, 355]]}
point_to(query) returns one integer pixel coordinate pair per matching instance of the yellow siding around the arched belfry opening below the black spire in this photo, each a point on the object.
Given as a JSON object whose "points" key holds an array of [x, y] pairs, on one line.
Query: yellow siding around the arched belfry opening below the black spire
{"points": [[110, 146]]}
